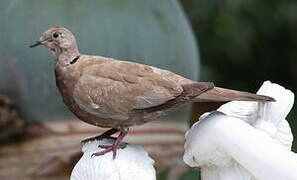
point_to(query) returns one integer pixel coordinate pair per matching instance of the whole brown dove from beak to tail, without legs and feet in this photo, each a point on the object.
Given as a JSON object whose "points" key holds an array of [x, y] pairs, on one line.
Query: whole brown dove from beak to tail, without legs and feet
{"points": [[111, 93]]}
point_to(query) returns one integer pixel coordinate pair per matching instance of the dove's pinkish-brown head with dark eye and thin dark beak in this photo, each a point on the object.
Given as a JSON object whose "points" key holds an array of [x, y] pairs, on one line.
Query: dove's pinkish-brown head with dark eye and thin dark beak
{"points": [[59, 40]]}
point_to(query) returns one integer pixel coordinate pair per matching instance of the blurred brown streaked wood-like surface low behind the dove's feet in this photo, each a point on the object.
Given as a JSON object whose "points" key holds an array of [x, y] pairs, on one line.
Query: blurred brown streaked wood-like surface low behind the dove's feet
{"points": [[53, 154]]}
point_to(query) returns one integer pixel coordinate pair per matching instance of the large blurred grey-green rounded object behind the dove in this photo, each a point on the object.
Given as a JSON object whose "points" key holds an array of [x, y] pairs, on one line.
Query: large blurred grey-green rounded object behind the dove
{"points": [[154, 32]]}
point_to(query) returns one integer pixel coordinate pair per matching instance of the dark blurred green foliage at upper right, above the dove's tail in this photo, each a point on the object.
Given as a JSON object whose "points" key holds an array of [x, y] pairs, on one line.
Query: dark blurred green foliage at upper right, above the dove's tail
{"points": [[245, 42]]}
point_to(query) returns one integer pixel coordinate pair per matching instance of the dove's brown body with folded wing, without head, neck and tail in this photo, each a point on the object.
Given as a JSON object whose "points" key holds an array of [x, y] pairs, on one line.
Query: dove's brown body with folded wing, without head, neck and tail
{"points": [[108, 93]]}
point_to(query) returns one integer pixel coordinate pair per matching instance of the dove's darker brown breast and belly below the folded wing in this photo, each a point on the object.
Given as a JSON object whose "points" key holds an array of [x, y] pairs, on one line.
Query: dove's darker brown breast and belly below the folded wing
{"points": [[67, 80]]}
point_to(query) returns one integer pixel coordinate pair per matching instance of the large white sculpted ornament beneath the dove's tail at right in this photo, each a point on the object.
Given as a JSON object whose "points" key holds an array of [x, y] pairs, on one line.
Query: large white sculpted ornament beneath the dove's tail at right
{"points": [[245, 140]]}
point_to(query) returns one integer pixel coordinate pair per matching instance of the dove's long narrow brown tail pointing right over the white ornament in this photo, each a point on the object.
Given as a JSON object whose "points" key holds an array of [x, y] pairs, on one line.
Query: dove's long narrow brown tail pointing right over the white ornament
{"points": [[221, 95]]}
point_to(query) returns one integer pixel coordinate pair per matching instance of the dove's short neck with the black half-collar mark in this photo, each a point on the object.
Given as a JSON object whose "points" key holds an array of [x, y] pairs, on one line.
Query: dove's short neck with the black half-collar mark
{"points": [[65, 56]]}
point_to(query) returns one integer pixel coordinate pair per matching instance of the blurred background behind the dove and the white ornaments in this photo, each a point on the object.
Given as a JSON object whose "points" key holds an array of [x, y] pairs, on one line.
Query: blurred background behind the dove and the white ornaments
{"points": [[236, 44]]}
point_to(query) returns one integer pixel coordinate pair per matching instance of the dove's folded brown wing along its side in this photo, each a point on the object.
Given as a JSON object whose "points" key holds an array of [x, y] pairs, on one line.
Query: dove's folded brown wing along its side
{"points": [[113, 88]]}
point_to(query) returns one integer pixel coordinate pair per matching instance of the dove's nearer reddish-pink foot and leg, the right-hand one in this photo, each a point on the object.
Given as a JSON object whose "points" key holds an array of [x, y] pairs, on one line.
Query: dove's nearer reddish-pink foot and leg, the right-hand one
{"points": [[118, 144]]}
